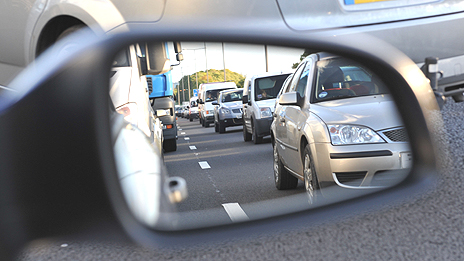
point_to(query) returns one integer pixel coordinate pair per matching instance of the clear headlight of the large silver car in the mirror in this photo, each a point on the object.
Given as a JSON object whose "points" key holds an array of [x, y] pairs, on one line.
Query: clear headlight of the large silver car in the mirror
{"points": [[352, 134]]}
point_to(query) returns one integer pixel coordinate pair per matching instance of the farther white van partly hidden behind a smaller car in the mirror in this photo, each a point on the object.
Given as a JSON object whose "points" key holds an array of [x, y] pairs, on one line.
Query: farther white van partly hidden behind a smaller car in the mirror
{"points": [[207, 93]]}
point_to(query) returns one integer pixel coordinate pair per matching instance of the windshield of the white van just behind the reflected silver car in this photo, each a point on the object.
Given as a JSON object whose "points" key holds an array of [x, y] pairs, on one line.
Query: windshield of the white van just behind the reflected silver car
{"points": [[269, 87]]}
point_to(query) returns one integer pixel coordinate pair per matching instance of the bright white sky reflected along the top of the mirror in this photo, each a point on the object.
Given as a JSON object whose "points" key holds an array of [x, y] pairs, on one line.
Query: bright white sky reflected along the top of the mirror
{"points": [[240, 58]]}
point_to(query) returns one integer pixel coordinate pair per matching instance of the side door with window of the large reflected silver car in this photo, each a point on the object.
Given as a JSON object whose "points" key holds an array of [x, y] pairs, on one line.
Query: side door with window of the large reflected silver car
{"points": [[295, 118]]}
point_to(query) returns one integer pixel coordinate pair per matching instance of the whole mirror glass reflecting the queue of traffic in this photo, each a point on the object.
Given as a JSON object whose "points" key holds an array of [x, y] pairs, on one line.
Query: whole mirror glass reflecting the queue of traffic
{"points": [[295, 130]]}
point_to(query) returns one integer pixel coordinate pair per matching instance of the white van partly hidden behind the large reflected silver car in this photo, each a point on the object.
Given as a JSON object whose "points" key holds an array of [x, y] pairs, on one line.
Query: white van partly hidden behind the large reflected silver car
{"points": [[259, 96]]}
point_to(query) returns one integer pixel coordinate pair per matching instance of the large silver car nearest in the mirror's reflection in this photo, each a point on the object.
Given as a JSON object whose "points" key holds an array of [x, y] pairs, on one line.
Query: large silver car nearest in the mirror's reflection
{"points": [[336, 125]]}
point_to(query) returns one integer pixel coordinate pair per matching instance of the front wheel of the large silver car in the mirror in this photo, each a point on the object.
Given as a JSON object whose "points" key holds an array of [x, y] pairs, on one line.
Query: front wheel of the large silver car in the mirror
{"points": [[310, 177]]}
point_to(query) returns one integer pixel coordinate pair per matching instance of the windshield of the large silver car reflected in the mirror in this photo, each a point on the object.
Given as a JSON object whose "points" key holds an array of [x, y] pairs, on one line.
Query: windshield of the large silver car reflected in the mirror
{"points": [[342, 78]]}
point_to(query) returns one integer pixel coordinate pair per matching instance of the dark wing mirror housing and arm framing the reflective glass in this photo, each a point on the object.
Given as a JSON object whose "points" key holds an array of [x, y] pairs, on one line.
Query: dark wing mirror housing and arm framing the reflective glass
{"points": [[53, 205]]}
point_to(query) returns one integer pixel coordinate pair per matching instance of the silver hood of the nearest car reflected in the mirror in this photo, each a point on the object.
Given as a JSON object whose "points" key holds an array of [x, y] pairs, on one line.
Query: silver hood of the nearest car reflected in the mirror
{"points": [[377, 112]]}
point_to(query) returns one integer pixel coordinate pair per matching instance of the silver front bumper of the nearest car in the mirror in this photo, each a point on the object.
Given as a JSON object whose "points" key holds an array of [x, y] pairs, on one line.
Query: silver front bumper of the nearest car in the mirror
{"points": [[363, 166]]}
